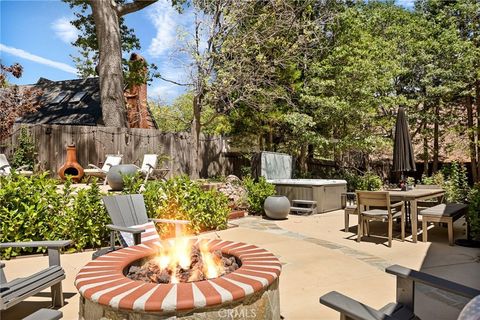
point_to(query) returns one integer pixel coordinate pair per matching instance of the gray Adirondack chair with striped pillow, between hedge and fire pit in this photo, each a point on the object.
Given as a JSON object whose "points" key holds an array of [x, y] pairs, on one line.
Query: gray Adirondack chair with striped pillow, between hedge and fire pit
{"points": [[129, 217]]}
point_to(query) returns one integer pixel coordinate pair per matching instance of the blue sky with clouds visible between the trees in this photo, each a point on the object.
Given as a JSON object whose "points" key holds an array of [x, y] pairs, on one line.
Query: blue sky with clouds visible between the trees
{"points": [[37, 34]]}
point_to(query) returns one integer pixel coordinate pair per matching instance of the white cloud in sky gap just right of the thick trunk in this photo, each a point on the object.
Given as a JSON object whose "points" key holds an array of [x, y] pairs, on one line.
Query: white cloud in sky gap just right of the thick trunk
{"points": [[164, 17]]}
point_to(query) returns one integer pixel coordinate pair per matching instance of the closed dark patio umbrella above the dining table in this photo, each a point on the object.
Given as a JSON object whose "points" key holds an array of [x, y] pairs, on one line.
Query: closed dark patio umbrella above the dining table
{"points": [[403, 157]]}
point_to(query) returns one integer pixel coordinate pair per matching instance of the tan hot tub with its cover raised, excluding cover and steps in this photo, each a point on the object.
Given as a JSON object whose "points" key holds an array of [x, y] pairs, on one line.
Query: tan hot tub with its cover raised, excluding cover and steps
{"points": [[326, 192]]}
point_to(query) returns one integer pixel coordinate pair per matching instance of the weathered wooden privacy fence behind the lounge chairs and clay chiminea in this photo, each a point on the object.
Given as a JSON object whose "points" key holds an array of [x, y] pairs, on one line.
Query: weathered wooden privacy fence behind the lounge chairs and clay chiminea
{"points": [[94, 143]]}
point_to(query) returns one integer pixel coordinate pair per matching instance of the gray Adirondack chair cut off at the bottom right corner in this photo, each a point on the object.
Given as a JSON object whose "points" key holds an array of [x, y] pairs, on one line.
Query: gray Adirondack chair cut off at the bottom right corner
{"points": [[404, 307]]}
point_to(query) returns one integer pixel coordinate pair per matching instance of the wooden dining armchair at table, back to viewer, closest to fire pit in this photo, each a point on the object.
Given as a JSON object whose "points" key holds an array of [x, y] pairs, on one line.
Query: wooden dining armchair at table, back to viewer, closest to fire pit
{"points": [[387, 212]]}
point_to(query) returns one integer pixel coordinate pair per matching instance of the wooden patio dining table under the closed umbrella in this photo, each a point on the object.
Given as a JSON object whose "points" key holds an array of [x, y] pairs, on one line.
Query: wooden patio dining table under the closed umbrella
{"points": [[412, 196]]}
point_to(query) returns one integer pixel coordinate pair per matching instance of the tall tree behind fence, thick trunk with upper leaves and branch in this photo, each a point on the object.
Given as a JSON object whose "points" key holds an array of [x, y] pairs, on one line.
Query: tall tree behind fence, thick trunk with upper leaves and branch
{"points": [[107, 29]]}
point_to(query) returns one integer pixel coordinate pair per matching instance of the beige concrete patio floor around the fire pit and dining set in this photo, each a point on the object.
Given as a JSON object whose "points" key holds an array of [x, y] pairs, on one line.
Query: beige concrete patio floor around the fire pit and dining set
{"points": [[318, 257]]}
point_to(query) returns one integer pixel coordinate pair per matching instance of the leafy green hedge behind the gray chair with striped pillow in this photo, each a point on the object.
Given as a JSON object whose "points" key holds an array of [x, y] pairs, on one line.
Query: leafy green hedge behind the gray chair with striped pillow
{"points": [[37, 208]]}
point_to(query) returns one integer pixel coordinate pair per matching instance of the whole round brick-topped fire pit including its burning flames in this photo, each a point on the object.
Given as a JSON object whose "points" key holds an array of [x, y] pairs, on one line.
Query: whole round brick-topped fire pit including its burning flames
{"points": [[250, 291]]}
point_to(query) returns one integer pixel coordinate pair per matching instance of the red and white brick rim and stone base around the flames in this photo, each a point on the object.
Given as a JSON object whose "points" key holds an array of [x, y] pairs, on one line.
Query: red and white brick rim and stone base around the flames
{"points": [[250, 292]]}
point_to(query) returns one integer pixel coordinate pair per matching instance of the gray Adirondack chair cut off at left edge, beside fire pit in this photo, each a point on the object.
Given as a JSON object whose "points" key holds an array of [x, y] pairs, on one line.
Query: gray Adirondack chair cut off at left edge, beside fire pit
{"points": [[17, 290]]}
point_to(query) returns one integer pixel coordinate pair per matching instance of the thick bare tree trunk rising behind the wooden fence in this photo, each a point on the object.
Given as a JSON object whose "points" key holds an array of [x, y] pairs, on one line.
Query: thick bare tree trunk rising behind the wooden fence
{"points": [[110, 64]]}
